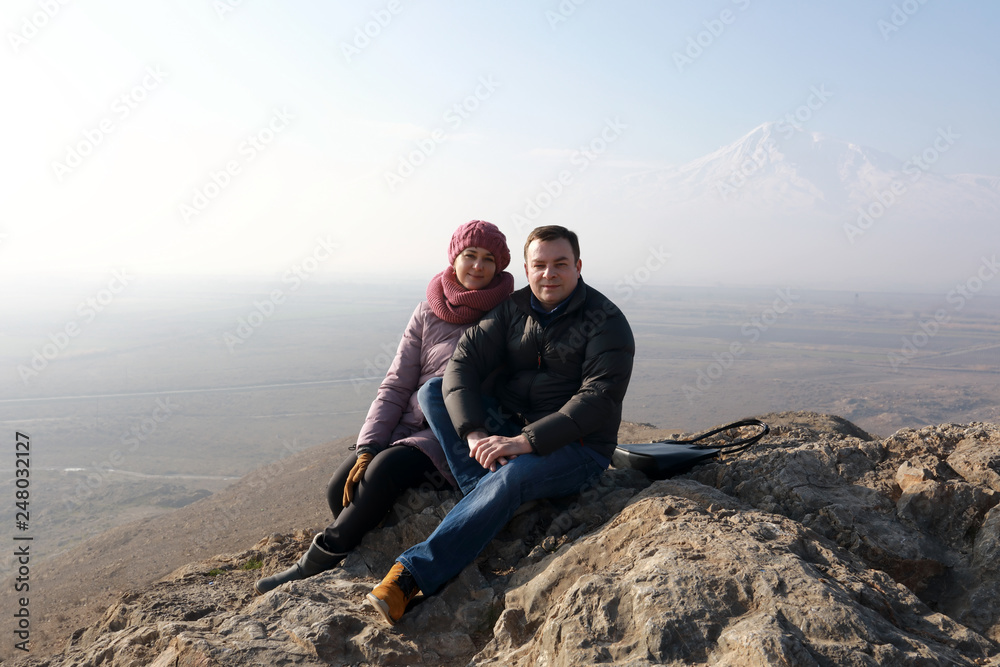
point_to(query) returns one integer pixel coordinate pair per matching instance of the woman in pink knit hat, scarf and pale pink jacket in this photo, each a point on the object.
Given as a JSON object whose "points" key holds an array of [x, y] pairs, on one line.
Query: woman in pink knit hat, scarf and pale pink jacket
{"points": [[396, 450]]}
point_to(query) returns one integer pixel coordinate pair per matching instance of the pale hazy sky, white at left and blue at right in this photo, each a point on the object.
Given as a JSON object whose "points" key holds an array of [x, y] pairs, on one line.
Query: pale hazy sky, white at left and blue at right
{"points": [[254, 136]]}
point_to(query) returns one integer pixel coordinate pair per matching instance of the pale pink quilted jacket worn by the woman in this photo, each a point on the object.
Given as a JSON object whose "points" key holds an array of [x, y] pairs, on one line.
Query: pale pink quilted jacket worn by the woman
{"points": [[395, 417]]}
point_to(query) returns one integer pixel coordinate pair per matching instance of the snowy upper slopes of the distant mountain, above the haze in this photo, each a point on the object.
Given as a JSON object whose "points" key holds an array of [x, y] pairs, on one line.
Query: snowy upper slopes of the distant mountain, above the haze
{"points": [[793, 171]]}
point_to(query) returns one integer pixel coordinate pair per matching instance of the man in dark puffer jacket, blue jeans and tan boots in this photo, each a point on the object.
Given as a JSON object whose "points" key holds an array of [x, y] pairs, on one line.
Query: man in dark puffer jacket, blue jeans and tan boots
{"points": [[564, 355]]}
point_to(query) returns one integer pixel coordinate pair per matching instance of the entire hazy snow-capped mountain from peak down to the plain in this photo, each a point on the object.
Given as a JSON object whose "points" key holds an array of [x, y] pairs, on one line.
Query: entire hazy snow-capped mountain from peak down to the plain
{"points": [[784, 206]]}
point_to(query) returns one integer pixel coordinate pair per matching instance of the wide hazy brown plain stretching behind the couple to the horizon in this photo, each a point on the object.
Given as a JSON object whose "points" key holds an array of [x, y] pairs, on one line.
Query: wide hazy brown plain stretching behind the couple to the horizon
{"points": [[153, 404]]}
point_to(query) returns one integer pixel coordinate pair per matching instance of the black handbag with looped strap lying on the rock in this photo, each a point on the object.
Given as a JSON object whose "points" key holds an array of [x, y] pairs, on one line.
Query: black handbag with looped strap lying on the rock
{"points": [[666, 458]]}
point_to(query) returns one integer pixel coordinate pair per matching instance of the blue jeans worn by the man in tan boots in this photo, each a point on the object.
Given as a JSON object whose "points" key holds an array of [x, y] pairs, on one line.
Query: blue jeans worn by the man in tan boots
{"points": [[491, 498]]}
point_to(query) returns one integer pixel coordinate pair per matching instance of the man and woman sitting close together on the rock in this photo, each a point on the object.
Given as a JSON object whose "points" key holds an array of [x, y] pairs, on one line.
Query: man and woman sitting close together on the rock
{"points": [[559, 357]]}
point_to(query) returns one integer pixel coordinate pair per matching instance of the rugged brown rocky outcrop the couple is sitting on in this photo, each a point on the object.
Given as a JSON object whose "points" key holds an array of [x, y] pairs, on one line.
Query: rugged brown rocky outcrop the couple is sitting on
{"points": [[821, 546]]}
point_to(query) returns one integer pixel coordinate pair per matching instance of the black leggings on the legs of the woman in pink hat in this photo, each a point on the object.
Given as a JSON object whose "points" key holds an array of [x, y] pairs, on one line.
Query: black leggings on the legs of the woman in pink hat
{"points": [[388, 475]]}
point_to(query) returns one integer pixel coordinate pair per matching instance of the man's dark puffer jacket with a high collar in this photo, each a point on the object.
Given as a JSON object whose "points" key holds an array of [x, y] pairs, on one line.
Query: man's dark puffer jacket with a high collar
{"points": [[565, 382]]}
